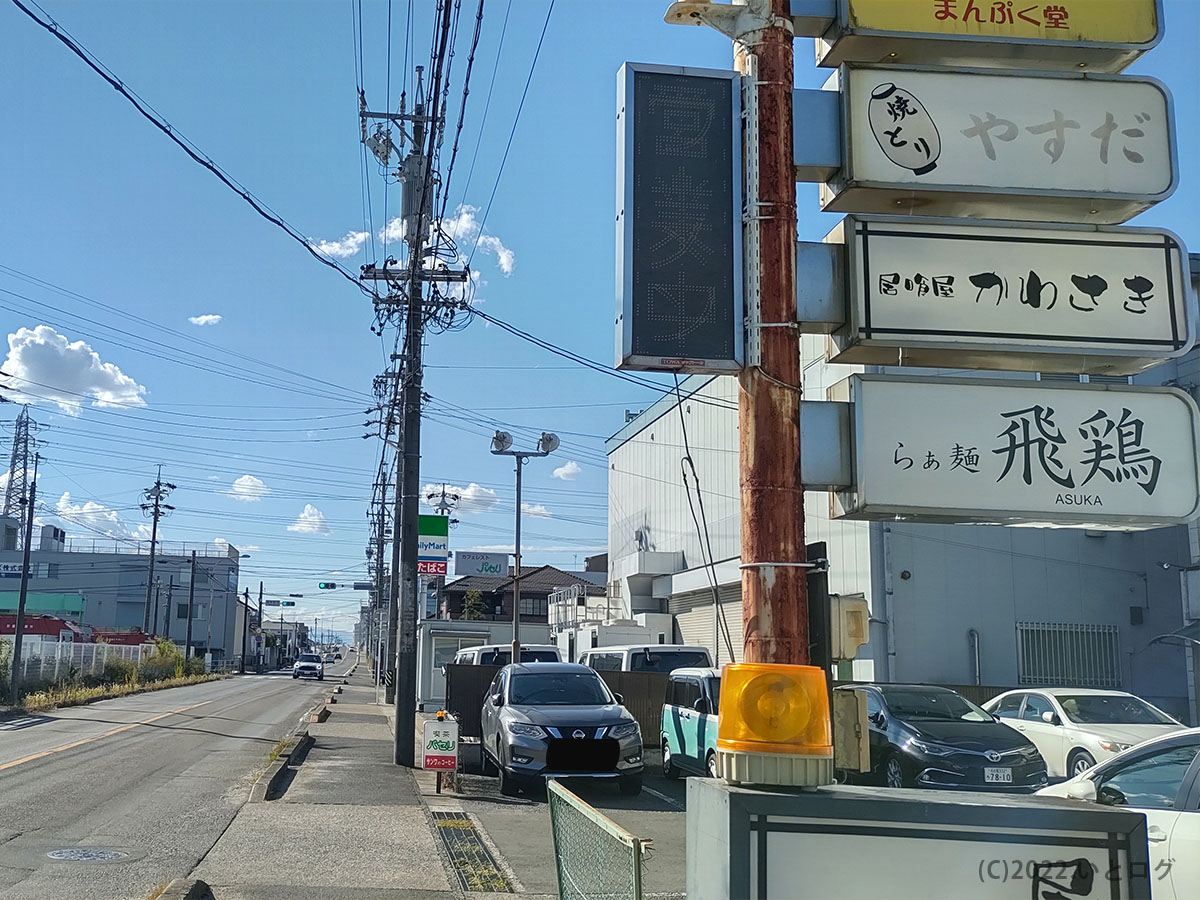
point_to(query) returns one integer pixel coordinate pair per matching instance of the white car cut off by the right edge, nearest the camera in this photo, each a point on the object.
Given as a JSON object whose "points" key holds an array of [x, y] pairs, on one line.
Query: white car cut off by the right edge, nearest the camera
{"points": [[1162, 779]]}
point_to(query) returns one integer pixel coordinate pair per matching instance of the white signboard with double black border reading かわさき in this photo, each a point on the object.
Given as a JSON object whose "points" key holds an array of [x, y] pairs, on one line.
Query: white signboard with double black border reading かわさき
{"points": [[995, 296]]}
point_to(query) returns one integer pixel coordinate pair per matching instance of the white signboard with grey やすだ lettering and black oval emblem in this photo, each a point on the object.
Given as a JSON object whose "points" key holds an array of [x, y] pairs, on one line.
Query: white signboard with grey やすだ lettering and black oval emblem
{"points": [[1096, 149]]}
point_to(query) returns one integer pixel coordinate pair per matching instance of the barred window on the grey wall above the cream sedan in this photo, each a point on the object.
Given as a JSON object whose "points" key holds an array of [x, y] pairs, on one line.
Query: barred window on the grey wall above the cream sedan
{"points": [[1053, 655]]}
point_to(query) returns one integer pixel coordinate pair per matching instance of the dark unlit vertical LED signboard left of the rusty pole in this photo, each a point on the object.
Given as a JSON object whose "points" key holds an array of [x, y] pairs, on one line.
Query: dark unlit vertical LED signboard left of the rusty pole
{"points": [[679, 219]]}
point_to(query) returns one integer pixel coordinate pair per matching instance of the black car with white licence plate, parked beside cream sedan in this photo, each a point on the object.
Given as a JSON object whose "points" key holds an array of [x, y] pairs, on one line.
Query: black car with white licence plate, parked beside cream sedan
{"points": [[932, 737]]}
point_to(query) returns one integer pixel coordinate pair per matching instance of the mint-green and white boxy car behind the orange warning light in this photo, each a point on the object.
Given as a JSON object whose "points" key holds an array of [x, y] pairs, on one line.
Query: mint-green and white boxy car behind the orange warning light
{"points": [[689, 722]]}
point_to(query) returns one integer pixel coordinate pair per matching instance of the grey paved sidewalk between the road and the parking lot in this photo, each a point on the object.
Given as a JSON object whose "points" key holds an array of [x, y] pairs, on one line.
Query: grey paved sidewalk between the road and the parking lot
{"points": [[350, 826]]}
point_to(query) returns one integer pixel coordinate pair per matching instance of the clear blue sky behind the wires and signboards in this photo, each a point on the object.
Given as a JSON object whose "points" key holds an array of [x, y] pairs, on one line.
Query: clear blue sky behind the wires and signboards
{"points": [[121, 229]]}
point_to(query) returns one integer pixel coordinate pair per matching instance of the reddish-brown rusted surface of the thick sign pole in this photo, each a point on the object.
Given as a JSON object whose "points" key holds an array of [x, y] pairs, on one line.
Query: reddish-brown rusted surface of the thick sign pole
{"points": [[775, 599]]}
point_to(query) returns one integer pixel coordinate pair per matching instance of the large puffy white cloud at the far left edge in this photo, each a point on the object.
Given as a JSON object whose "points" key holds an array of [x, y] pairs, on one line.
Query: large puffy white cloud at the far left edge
{"points": [[53, 369]]}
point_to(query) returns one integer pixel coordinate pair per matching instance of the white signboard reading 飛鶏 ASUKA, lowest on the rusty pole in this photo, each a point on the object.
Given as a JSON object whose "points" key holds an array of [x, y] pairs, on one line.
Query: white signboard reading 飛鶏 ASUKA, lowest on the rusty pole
{"points": [[1021, 453]]}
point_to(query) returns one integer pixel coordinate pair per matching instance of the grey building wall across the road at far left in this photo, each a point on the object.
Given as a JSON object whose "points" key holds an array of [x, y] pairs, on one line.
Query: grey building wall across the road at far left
{"points": [[115, 586]]}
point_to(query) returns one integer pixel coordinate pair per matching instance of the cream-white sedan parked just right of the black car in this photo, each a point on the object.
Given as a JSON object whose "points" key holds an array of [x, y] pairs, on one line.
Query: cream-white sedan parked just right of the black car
{"points": [[1076, 728]]}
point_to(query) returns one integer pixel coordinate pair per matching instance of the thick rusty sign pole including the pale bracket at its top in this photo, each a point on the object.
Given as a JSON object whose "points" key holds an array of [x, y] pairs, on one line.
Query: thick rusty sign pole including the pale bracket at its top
{"points": [[775, 591]]}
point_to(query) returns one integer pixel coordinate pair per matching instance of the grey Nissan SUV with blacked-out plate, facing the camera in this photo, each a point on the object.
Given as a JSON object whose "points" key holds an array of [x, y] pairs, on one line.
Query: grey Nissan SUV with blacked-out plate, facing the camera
{"points": [[559, 719]]}
